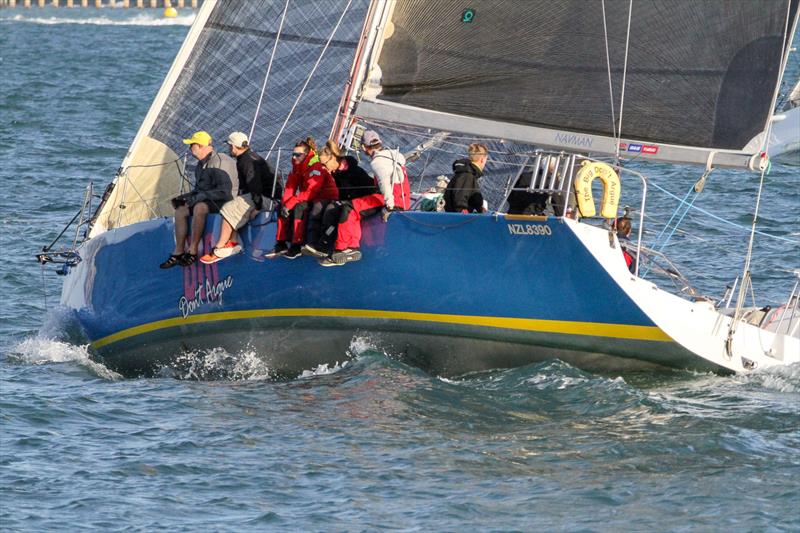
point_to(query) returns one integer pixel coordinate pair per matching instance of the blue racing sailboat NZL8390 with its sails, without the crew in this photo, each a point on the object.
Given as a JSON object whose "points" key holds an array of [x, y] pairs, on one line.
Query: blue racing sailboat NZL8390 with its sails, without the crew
{"points": [[573, 91]]}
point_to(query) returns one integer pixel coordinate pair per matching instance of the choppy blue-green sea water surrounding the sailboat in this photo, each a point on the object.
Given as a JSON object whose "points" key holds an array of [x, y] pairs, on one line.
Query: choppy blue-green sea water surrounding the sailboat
{"points": [[215, 444]]}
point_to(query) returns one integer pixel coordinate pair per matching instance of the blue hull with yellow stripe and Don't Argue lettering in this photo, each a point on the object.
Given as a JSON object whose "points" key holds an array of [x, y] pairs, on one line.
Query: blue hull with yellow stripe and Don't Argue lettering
{"points": [[451, 293]]}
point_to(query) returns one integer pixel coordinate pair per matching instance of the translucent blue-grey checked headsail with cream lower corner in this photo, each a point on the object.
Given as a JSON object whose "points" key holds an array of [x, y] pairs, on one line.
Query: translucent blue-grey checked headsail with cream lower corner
{"points": [[215, 84]]}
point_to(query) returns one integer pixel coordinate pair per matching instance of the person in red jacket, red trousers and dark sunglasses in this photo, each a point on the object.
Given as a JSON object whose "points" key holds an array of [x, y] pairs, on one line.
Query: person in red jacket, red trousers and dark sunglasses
{"points": [[308, 182]]}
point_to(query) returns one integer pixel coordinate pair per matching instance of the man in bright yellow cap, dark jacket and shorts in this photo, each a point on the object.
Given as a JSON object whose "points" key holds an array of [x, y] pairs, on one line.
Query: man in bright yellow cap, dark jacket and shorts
{"points": [[216, 182]]}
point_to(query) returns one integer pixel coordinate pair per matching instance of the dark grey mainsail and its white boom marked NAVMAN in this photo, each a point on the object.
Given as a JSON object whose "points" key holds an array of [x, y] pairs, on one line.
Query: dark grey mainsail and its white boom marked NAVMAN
{"points": [[700, 77]]}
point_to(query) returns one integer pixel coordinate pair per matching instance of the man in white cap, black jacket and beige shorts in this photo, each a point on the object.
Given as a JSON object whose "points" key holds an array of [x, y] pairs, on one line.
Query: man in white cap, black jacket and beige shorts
{"points": [[256, 182]]}
